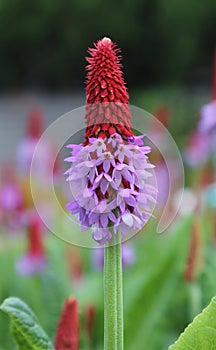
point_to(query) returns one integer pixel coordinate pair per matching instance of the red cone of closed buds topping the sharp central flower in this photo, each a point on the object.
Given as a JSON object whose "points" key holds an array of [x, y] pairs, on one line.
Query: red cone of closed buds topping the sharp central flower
{"points": [[106, 91]]}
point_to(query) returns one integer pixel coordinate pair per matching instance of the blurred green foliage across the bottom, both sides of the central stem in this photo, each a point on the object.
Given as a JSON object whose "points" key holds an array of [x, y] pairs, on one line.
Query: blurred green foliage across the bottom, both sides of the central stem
{"points": [[158, 302]]}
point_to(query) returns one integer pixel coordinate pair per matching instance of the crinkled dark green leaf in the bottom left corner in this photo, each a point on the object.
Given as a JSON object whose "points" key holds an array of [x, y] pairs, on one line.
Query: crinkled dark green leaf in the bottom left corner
{"points": [[27, 333]]}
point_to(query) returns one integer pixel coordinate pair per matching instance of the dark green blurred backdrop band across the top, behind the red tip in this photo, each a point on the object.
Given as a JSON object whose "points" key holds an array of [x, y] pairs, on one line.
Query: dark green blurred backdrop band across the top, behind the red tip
{"points": [[43, 44]]}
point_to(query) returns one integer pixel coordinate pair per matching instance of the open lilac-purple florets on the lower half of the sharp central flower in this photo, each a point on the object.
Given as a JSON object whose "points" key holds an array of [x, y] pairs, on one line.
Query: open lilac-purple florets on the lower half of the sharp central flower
{"points": [[110, 187]]}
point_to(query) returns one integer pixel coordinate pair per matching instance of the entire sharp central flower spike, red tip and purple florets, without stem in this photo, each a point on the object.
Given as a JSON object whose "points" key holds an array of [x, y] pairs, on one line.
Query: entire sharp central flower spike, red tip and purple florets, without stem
{"points": [[110, 169]]}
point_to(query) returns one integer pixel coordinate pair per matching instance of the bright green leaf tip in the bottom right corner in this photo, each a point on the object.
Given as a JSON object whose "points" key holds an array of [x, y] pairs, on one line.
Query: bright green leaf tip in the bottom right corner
{"points": [[201, 333]]}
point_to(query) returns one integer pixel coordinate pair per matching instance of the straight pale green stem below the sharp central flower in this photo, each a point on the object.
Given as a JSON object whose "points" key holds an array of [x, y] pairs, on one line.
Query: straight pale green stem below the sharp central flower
{"points": [[113, 298]]}
